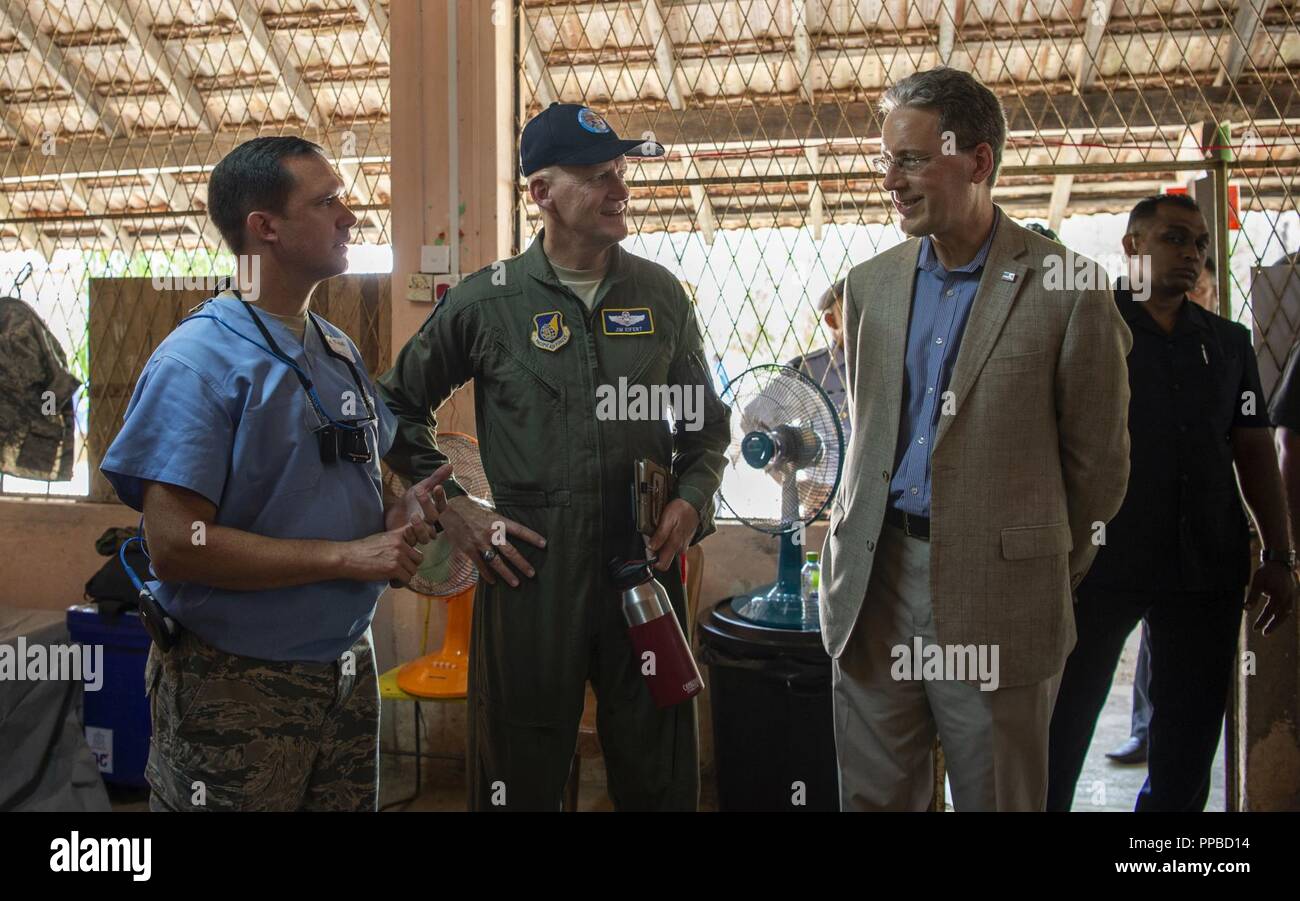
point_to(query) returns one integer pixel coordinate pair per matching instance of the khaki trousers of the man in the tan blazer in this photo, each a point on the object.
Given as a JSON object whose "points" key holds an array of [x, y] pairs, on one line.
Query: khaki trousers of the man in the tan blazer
{"points": [[995, 743]]}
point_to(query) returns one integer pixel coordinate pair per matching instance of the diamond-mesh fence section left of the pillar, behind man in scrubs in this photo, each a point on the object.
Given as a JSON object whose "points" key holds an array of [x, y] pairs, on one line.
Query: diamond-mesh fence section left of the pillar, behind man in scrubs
{"points": [[112, 116]]}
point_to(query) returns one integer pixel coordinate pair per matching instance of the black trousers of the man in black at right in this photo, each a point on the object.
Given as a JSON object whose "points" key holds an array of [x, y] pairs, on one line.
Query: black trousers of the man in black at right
{"points": [[1193, 644]]}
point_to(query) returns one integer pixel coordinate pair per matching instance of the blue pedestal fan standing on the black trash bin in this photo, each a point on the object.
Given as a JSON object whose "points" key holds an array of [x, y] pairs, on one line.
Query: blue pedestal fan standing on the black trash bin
{"points": [[785, 466]]}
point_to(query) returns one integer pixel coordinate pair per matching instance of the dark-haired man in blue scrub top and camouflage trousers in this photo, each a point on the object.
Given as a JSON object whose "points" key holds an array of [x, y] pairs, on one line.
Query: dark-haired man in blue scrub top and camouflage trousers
{"points": [[253, 447]]}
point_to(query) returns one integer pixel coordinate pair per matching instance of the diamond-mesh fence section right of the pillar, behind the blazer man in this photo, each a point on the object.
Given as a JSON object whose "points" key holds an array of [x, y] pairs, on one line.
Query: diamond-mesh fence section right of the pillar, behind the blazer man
{"points": [[769, 112]]}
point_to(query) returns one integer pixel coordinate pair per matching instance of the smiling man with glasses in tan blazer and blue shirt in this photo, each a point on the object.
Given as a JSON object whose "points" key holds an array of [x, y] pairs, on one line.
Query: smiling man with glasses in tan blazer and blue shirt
{"points": [[989, 397]]}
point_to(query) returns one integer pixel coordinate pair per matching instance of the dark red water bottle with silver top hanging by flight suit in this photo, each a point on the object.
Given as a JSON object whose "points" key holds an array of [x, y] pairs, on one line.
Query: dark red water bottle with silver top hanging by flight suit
{"points": [[662, 652]]}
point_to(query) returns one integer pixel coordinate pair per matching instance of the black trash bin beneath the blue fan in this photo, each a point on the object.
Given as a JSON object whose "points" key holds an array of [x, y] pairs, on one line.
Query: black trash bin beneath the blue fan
{"points": [[774, 734]]}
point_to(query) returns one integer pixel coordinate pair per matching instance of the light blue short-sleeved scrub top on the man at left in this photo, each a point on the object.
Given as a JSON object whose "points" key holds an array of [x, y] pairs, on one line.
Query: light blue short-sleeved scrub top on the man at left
{"points": [[223, 418]]}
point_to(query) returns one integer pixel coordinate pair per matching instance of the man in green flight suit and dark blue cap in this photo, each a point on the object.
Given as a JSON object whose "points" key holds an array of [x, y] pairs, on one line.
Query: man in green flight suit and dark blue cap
{"points": [[571, 346]]}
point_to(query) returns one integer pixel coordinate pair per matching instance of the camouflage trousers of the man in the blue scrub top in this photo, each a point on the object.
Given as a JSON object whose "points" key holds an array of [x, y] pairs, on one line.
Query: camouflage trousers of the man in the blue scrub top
{"points": [[237, 734]]}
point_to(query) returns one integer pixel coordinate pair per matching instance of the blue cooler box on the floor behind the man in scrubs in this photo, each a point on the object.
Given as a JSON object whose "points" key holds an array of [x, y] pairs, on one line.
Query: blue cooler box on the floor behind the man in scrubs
{"points": [[118, 716]]}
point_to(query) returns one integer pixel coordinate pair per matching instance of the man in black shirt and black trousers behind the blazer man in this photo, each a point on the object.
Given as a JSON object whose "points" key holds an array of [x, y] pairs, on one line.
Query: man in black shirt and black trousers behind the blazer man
{"points": [[1177, 555]]}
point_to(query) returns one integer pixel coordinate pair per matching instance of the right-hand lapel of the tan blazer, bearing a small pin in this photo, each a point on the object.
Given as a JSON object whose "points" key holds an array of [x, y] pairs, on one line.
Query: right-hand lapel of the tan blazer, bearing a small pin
{"points": [[994, 300]]}
